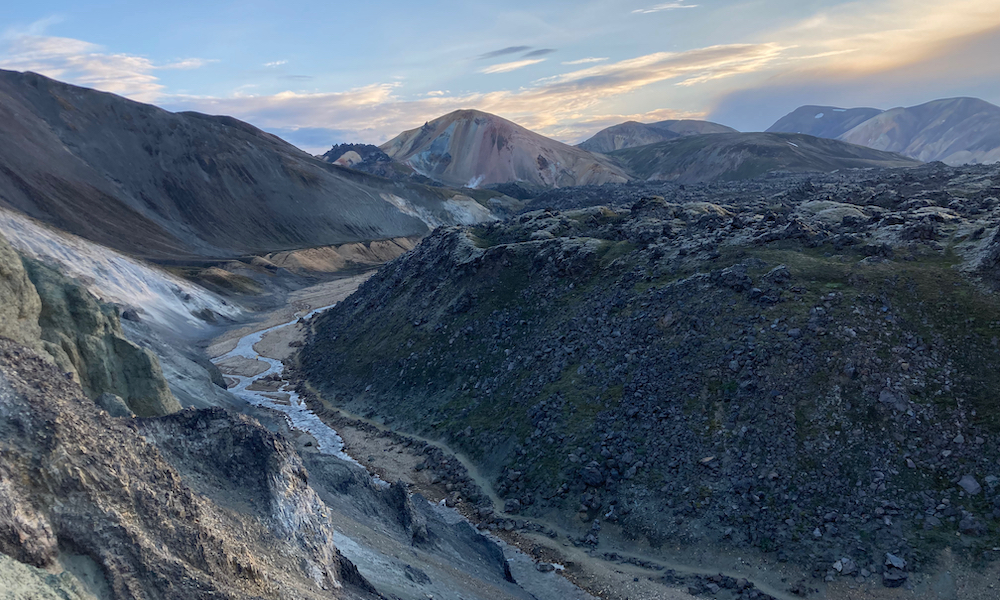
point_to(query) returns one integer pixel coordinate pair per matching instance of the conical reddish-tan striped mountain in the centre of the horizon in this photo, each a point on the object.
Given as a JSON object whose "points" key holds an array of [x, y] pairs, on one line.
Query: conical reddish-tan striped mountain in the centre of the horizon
{"points": [[472, 148]]}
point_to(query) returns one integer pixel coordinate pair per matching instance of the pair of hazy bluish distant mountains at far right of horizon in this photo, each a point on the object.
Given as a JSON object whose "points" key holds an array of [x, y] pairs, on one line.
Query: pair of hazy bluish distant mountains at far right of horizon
{"points": [[954, 131]]}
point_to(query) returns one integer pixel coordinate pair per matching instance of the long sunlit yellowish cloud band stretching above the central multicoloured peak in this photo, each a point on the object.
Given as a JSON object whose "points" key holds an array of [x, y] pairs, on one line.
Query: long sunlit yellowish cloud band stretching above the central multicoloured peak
{"points": [[563, 106]]}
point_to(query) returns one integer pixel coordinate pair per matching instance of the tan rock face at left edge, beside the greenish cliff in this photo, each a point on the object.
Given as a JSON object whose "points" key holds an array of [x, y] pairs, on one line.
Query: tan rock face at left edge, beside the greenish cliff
{"points": [[19, 302]]}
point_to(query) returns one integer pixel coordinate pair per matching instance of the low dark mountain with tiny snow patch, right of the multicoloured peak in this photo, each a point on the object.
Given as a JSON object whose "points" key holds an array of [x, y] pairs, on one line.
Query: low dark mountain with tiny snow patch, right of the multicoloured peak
{"points": [[730, 156]]}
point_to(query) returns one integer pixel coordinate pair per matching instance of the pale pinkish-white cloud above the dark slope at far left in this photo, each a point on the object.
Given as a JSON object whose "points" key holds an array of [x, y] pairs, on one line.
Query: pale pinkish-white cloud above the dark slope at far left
{"points": [[87, 64]]}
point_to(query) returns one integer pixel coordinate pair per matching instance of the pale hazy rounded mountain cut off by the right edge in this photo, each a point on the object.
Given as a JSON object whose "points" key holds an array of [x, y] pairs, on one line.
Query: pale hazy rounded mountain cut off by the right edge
{"points": [[954, 131]]}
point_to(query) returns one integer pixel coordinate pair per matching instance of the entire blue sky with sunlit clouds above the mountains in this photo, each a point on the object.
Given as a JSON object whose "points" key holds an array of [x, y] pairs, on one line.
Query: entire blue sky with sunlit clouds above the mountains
{"points": [[324, 73]]}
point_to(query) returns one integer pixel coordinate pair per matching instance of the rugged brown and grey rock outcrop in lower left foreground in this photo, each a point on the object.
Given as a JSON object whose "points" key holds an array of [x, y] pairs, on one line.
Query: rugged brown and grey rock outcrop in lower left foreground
{"points": [[76, 480]]}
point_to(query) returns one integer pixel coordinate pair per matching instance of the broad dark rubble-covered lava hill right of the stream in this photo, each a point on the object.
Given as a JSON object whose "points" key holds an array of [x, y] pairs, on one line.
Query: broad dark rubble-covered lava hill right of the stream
{"points": [[805, 367]]}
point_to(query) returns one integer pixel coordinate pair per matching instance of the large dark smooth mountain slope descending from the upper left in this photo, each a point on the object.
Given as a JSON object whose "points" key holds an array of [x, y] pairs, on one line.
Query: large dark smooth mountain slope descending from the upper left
{"points": [[163, 185]]}
